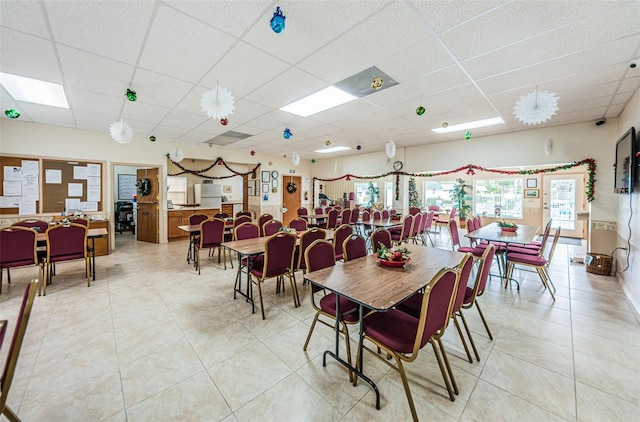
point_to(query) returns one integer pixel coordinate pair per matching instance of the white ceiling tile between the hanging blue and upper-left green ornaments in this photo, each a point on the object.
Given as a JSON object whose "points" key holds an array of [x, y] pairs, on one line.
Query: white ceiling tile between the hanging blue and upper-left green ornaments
{"points": [[189, 61]]}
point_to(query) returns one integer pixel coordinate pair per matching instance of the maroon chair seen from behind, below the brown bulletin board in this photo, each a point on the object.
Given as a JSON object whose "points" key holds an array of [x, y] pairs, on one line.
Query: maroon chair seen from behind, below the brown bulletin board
{"points": [[66, 242]]}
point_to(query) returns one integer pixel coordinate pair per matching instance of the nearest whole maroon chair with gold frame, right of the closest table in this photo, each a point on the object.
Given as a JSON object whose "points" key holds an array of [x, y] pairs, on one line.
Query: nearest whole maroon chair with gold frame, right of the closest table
{"points": [[401, 335]]}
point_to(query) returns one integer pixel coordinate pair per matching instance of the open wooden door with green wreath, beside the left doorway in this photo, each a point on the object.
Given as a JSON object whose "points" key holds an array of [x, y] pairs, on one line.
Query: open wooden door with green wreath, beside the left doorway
{"points": [[148, 207]]}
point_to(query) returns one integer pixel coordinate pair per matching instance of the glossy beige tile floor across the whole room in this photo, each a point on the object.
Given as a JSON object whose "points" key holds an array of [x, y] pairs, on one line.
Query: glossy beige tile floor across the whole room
{"points": [[152, 340]]}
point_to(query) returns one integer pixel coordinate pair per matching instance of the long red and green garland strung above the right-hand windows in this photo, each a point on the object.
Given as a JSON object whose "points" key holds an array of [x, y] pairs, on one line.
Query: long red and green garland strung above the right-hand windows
{"points": [[471, 170]]}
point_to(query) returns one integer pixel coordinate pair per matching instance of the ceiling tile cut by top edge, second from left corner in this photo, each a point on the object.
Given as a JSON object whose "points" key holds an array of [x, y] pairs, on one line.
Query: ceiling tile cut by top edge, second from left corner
{"points": [[115, 30]]}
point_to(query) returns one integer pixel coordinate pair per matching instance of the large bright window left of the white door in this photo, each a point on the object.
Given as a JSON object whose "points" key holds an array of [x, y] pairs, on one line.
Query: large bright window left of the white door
{"points": [[498, 198]]}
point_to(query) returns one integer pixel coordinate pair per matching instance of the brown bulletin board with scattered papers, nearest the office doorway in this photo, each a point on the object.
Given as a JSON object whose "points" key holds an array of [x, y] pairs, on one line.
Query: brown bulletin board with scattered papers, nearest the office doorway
{"points": [[71, 186]]}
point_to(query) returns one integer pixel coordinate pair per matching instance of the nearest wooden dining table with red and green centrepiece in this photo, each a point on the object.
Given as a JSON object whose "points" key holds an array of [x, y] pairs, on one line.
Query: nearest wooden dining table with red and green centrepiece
{"points": [[375, 287]]}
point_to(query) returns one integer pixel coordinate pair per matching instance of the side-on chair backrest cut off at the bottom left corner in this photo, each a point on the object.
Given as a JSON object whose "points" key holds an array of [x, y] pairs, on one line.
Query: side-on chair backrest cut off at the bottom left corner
{"points": [[16, 341]]}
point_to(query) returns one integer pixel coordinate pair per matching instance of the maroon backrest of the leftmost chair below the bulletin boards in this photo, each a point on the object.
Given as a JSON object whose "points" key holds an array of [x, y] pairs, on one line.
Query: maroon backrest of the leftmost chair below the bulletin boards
{"points": [[18, 247]]}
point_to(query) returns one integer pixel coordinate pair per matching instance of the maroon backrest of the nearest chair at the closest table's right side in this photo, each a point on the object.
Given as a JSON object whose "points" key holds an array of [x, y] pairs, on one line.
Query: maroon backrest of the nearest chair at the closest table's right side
{"points": [[437, 302]]}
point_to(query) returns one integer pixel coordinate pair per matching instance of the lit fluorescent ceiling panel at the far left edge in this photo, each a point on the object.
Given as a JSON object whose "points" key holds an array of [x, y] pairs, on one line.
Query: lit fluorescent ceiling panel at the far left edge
{"points": [[34, 91]]}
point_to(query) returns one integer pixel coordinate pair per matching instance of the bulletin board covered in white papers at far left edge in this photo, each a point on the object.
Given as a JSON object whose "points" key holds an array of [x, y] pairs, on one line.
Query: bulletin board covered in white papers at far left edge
{"points": [[19, 191]]}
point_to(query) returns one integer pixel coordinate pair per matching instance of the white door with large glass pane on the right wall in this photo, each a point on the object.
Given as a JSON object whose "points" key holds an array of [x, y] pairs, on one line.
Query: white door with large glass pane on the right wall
{"points": [[562, 197]]}
